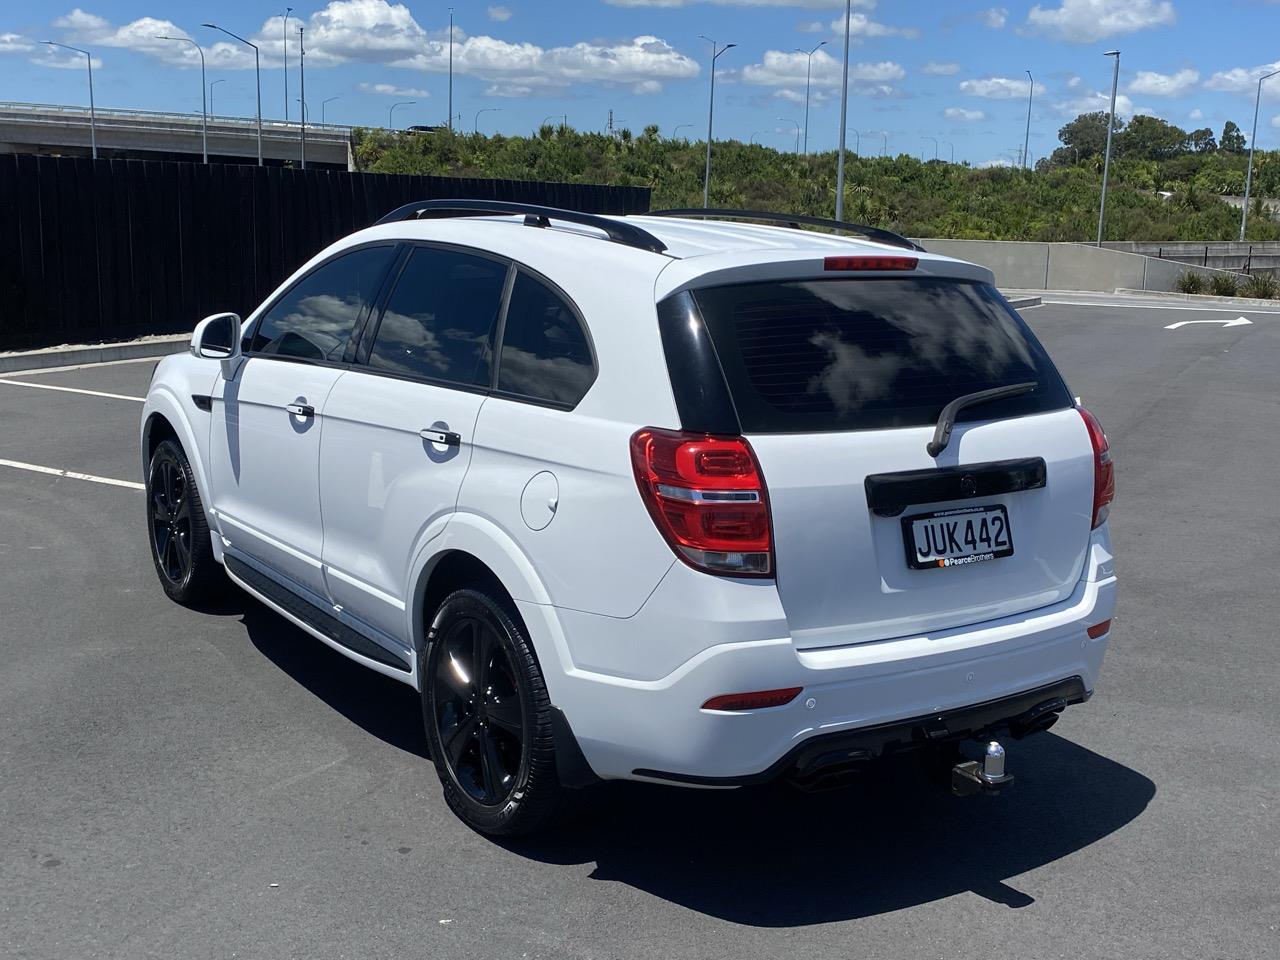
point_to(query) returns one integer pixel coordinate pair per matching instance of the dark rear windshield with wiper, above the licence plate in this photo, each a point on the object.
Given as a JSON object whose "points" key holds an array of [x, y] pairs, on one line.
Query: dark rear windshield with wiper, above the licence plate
{"points": [[810, 356]]}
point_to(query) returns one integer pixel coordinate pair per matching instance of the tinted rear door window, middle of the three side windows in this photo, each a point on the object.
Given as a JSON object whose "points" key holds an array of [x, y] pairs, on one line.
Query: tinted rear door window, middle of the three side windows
{"points": [[440, 319]]}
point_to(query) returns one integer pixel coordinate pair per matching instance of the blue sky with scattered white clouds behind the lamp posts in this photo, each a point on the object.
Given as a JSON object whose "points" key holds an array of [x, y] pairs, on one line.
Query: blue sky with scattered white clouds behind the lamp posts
{"points": [[953, 71]]}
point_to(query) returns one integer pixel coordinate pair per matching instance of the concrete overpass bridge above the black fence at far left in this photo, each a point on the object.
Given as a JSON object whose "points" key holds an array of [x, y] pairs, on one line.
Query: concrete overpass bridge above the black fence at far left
{"points": [[52, 130]]}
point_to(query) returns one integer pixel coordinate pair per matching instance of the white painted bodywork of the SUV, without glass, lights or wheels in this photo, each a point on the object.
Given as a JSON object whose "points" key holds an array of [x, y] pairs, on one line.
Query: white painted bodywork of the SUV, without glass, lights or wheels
{"points": [[356, 510]]}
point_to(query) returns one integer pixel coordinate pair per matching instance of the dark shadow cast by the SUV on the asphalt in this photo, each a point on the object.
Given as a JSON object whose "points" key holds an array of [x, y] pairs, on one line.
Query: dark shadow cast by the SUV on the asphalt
{"points": [[775, 857]]}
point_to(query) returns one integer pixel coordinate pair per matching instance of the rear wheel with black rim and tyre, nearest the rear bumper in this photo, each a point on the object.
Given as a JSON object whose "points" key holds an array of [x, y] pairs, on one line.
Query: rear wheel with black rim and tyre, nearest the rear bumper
{"points": [[492, 740]]}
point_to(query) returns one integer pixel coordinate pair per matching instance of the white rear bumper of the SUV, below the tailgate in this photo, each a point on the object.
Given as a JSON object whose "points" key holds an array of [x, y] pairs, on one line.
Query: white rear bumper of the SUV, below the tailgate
{"points": [[643, 729]]}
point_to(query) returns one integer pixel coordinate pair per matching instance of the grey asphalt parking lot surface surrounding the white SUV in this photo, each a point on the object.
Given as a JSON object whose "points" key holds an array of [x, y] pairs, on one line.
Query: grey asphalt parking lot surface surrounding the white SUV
{"points": [[217, 784]]}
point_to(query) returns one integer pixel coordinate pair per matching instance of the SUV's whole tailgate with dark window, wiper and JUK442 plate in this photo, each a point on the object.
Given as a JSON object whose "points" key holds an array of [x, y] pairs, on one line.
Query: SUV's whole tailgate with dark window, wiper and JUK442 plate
{"points": [[839, 385]]}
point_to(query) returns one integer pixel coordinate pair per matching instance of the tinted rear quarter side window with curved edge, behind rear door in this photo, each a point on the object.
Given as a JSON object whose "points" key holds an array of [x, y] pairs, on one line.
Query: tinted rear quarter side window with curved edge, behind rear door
{"points": [[545, 351]]}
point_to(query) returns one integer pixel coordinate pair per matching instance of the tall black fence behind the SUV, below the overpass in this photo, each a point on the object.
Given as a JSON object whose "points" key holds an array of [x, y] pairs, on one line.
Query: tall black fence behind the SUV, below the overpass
{"points": [[108, 250]]}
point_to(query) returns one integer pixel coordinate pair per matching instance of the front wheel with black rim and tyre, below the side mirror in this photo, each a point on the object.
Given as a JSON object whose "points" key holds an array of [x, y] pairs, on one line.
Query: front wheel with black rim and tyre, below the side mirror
{"points": [[177, 529]]}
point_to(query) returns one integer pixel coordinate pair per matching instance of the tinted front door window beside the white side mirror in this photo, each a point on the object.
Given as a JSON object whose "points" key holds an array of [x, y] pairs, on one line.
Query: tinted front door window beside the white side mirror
{"points": [[316, 319]]}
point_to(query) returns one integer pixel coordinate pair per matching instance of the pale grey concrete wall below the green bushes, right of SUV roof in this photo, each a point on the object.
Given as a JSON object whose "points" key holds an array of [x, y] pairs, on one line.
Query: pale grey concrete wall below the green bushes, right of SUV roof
{"points": [[1064, 267]]}
